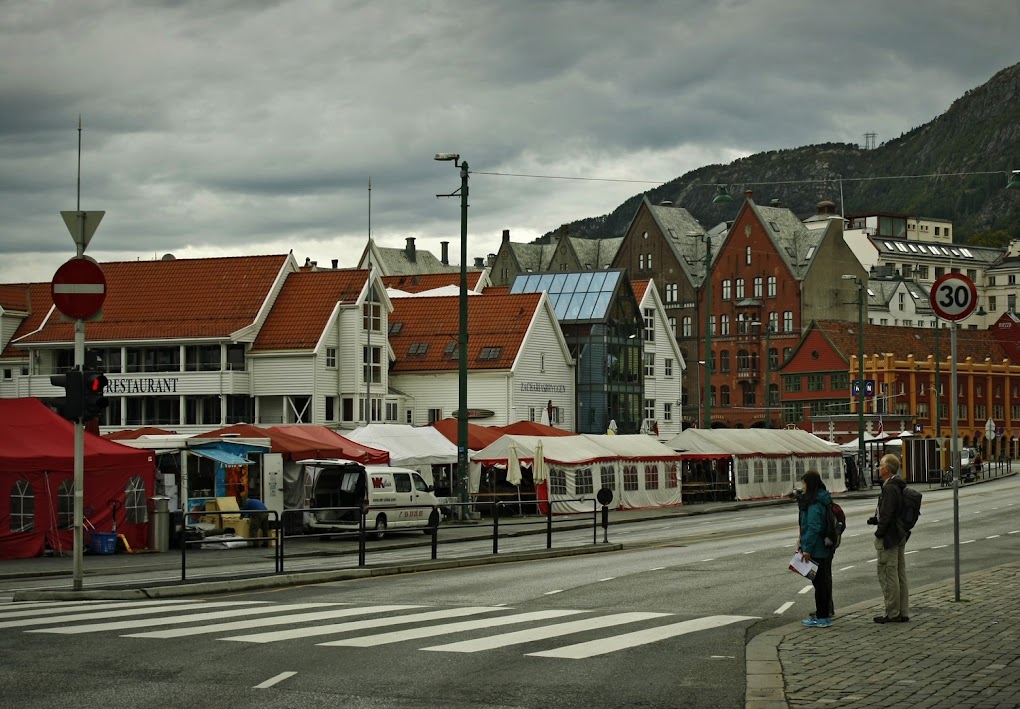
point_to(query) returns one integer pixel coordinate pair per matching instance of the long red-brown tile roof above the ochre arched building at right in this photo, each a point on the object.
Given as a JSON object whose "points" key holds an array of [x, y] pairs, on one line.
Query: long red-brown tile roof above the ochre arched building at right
{"points": [[903, 341]]}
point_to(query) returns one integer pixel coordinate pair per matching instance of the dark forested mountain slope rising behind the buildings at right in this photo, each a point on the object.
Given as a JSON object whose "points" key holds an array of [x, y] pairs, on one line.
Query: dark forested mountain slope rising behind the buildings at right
{"points": [[981, 133]]}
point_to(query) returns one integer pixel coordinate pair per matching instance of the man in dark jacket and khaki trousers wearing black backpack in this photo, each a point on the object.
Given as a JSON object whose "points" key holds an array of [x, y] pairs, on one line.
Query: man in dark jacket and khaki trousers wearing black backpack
{"points": [[891, 540]]}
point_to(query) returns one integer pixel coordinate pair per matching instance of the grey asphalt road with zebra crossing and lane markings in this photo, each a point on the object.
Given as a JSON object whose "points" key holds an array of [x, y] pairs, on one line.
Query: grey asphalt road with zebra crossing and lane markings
{"points": [[662, 624]]}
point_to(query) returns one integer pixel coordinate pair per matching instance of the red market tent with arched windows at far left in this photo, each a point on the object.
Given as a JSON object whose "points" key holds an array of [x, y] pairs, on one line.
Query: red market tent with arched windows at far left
{"points": [[37, 477]]}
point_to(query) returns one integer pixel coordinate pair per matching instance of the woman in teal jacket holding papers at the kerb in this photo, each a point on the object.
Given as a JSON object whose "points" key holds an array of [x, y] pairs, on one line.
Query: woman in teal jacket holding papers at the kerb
{"points": [[813, 504]]}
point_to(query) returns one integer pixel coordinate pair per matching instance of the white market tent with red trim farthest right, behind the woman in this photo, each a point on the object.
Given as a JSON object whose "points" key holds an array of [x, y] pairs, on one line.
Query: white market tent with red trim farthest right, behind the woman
{"points": [[768, 463]]}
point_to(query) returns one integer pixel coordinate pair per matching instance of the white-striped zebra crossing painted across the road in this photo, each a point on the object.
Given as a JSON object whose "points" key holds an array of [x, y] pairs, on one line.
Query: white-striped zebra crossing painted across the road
{"points": [[330, 625]]}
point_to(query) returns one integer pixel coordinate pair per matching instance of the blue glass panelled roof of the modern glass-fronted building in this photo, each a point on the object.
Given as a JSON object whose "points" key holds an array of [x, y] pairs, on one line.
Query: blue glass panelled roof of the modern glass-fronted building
{"points": [[581, 296]]}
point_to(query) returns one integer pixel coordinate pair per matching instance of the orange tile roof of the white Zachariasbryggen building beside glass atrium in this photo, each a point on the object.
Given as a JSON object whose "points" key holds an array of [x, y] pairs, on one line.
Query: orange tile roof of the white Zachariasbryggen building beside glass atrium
{"points": [[493, 322]]}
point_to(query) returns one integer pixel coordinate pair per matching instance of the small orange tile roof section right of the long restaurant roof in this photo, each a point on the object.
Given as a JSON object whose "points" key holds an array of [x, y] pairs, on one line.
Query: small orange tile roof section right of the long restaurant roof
{"points": [[302, 311]]}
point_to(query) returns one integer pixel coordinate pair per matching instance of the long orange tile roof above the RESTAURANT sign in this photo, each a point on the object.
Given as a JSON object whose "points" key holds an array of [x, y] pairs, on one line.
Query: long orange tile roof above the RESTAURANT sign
{"points": [[174, 299]]}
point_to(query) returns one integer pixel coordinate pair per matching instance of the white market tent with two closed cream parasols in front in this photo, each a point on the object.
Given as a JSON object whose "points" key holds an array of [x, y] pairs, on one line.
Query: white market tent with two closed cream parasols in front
{"points": [[640, 471]]}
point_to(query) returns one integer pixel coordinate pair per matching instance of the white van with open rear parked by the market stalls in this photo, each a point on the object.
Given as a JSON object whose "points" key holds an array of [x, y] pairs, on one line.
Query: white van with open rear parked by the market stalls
{"points": [[397, 498]]}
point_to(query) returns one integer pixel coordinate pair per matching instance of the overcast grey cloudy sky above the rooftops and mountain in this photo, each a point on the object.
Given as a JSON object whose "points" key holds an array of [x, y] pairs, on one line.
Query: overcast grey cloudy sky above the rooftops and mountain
{"points": [[233, 128]]}
